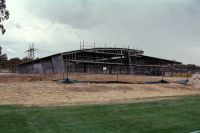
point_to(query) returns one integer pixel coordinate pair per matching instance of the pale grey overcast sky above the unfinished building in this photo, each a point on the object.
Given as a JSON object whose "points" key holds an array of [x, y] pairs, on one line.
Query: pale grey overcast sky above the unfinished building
{"points": [[162, 28]]}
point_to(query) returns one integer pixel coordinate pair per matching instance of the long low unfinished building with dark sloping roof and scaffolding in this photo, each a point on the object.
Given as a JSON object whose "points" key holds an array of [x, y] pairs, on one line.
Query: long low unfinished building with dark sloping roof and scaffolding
{"points": [[99, 60]]}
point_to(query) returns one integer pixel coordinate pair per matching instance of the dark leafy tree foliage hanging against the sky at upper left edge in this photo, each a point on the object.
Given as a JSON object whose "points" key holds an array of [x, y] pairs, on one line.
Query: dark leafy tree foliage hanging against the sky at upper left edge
{"points": [[4, 15]]}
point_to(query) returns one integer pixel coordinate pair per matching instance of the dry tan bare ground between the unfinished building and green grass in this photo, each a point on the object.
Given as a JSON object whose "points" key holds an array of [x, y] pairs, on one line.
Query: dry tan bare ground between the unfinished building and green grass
{"points": [[38, 90]]}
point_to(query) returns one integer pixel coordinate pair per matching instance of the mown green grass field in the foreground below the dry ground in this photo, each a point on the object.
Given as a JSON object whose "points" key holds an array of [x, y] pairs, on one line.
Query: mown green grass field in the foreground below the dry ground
{"points": [[166, 116]]}
